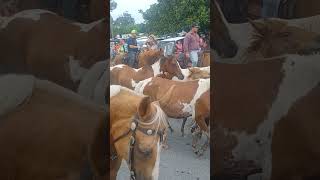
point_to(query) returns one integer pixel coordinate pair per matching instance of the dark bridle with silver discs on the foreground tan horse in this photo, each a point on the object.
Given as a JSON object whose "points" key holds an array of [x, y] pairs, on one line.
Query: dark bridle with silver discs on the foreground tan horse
{"points": [[134, 127]]}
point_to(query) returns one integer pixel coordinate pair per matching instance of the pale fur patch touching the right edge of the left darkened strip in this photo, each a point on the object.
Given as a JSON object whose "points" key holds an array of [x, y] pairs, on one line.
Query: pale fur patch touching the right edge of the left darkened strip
{"points": [[89, 81]]}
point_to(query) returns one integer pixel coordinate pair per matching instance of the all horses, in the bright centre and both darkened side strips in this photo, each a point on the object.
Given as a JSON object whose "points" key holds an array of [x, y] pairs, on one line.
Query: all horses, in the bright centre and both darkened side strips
{"points": [[54, 84]]}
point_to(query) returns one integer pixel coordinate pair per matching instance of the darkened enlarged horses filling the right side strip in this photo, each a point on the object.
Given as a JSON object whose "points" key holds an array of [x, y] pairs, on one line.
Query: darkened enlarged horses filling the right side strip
{"points": [[266, 92]]}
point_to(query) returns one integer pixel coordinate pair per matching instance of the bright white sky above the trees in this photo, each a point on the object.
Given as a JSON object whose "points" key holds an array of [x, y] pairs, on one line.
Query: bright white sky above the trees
{"points": [[132, 6]]}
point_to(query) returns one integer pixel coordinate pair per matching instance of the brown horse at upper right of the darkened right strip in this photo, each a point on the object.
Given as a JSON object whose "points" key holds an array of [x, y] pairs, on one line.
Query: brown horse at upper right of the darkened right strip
{"points": [[274, 38]]}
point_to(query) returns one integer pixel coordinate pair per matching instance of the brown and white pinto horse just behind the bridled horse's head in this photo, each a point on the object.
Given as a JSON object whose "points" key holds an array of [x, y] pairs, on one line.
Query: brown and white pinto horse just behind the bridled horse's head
{"points": [[185, 95]]}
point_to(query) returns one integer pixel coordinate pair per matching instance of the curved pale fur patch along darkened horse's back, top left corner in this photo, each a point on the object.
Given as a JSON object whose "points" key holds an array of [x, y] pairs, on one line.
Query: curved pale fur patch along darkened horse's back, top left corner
{"points": [[33, 14]]}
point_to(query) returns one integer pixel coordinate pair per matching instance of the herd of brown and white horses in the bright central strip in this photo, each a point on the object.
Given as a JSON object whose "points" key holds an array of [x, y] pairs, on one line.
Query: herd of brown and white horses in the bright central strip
{"points": [[141, 100]]}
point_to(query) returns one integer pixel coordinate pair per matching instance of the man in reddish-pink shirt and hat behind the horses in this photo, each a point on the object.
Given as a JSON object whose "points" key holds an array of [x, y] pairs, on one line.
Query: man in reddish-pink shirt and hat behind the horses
{"points": [[191, 45]]}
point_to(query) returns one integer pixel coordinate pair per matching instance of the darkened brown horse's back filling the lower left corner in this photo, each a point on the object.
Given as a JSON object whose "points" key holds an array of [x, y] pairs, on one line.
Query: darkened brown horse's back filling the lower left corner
{"points": [[42, 122]]}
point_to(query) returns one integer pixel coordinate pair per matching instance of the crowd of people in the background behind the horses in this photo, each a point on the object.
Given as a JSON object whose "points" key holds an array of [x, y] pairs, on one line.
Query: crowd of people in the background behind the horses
{"points": [[187, 50]]}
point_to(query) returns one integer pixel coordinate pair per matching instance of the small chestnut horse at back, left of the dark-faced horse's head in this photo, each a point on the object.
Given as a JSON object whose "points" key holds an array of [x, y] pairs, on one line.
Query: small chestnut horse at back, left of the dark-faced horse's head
{"points": [[149, 57]]}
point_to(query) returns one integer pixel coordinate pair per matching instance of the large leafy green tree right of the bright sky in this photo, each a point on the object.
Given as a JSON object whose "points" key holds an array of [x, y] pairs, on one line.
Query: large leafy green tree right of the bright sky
{"points": [[168, 16]]}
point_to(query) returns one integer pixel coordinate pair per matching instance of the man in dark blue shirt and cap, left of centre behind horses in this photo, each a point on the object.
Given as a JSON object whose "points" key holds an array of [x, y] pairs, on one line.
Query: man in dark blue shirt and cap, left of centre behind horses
{"points": [[132, 48]]}
